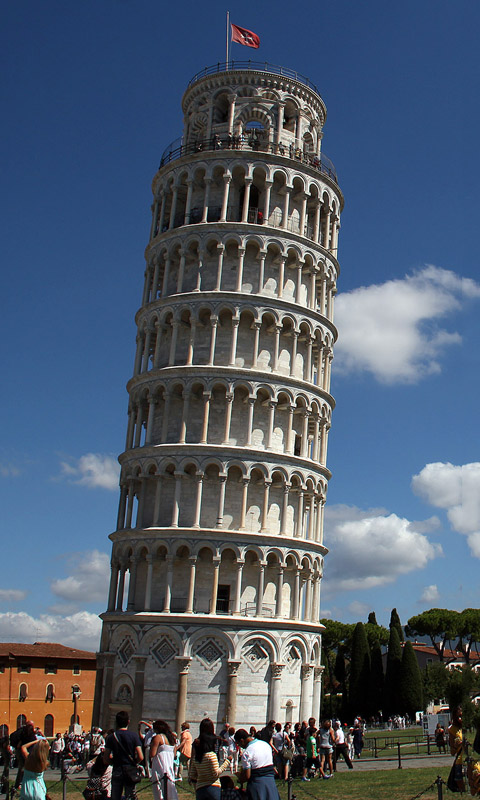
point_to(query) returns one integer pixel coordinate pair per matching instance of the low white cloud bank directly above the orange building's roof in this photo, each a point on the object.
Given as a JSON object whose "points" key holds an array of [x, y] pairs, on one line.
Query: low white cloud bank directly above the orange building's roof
{"points": [[80, 630]]}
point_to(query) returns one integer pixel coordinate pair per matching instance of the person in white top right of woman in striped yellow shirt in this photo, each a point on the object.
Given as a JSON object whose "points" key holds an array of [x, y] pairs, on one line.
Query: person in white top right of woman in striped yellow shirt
{"points": [[256, 767]]}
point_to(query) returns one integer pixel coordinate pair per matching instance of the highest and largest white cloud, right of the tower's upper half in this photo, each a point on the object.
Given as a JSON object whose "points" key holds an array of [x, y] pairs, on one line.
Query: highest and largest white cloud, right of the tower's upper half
{"points": [[391, 329]]}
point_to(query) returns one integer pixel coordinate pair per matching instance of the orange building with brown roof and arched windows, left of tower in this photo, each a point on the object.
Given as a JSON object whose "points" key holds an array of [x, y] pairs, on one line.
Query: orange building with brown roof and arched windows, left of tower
{"points": [[38, 681]]}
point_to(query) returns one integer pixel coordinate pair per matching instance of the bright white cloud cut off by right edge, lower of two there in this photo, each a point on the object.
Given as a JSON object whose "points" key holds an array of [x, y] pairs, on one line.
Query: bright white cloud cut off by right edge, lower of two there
{"points": [[455, 488]]}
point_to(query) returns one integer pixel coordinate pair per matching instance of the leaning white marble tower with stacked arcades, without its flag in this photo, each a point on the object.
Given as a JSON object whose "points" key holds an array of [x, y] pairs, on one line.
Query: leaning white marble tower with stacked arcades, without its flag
{"points": [[218, 554]]}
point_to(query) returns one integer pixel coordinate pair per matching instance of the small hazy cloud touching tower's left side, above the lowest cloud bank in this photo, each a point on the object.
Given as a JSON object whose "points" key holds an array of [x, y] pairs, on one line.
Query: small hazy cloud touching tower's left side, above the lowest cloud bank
{"points": [[89, 580]]}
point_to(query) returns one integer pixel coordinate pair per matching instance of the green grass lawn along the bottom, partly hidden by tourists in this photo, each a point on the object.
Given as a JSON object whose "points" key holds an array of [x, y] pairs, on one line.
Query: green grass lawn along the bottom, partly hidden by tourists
{"points": [[393, 784]]}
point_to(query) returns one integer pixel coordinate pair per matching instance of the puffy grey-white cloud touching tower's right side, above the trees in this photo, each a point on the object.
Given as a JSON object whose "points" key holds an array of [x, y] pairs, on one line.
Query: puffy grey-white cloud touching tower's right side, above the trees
{"points": [[372, 548]]}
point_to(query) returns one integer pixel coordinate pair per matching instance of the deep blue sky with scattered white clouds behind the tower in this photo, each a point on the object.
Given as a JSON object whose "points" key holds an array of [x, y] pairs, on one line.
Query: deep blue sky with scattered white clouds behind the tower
{"points": [[91, 96]]}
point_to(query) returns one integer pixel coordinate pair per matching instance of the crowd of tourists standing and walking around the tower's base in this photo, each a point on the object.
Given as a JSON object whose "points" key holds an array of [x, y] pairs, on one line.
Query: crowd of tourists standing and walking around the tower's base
{"points": [[226, 765]]}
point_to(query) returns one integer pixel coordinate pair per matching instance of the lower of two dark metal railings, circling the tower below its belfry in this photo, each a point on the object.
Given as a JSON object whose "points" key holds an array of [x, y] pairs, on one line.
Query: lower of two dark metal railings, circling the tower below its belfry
{"points": [[176, 150]]}
